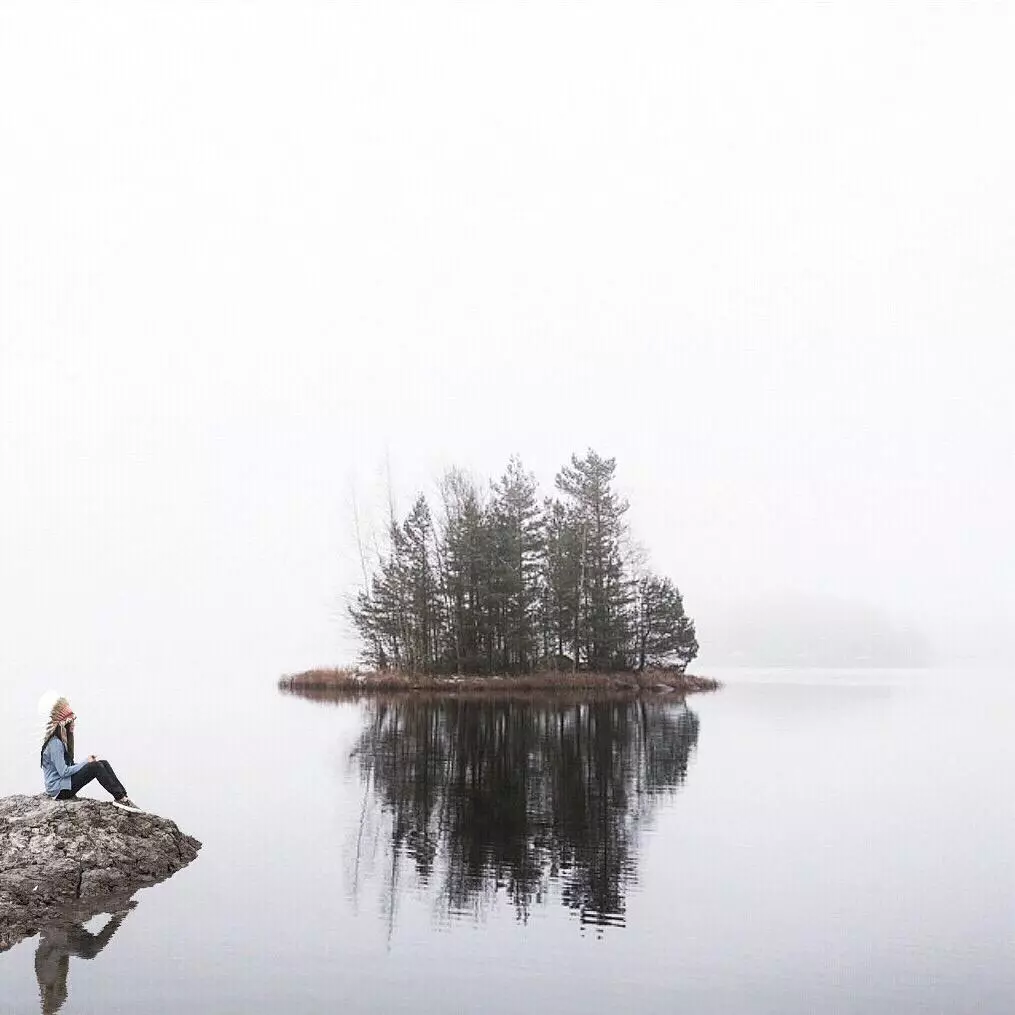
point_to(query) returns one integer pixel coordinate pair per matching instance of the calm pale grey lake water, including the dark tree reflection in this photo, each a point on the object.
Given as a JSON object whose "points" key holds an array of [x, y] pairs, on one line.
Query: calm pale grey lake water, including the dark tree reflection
{"points": [[800, 842]]}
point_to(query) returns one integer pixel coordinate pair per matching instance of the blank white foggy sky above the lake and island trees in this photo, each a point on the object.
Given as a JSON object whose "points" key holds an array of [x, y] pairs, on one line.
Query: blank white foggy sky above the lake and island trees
{"points": [[764, 254]]}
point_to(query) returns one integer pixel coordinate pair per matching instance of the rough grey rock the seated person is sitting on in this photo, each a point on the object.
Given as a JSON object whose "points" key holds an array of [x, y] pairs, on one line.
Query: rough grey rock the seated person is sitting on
{"points": [[67, 861]]}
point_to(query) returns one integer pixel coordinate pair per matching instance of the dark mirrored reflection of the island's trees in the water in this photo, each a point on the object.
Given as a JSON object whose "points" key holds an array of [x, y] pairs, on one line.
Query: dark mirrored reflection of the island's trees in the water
{"points": [[532, 798]]}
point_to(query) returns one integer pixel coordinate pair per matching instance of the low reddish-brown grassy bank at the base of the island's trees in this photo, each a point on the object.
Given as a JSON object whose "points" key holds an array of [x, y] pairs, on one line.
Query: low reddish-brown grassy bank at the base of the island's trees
{"points": [[354, 684]]}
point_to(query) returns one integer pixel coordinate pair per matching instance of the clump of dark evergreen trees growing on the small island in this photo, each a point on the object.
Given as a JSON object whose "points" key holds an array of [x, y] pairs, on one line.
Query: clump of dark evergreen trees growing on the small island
{"points": [[500, 583]]}
